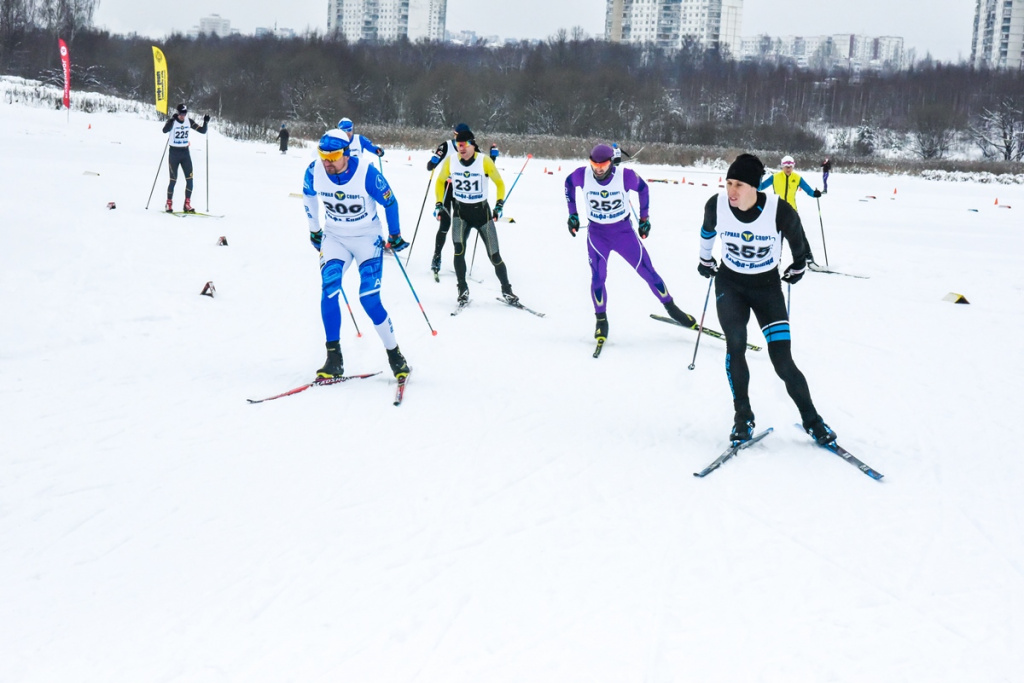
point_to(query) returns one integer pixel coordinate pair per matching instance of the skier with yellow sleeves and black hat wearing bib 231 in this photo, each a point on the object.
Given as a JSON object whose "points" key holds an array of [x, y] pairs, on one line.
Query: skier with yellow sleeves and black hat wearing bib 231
{"points": [[468, 173]]}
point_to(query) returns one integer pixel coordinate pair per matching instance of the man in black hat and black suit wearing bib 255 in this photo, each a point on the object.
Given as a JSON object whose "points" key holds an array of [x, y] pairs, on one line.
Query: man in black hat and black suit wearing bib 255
{"points": [[753, 226]]}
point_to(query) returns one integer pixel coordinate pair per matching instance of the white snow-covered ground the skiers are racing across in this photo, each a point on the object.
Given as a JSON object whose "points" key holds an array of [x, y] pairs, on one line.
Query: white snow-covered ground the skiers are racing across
{"points": [[529, 514]]}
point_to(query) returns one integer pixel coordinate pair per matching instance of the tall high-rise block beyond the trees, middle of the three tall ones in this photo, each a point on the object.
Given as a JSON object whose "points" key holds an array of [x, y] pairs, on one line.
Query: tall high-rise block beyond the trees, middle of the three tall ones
{"points": [[667, 24]]}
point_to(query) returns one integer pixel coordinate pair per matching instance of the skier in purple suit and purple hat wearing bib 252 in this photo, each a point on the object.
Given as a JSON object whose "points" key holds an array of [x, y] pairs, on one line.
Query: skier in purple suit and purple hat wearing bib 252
{"points": [[606, 189]]}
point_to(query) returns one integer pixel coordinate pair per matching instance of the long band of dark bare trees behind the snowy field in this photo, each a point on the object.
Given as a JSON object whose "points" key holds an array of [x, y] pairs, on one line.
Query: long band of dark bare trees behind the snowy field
{"points": [[570, 86]]}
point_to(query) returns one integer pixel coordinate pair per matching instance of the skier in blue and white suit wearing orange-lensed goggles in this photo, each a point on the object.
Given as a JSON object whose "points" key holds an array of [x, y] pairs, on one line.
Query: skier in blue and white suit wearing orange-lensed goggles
{"points": [[351, 192]]}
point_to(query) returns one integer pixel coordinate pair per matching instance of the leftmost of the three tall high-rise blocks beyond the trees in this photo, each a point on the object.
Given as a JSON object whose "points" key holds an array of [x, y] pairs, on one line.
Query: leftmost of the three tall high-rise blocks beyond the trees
{"points": [[388, 20]]}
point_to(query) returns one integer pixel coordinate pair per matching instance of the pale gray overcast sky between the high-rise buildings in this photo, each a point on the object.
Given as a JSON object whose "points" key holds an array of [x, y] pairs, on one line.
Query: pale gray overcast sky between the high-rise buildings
{"points": [[940, 27]]}
